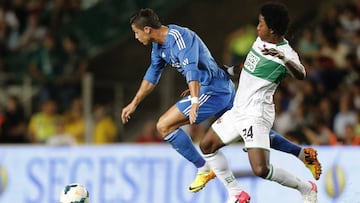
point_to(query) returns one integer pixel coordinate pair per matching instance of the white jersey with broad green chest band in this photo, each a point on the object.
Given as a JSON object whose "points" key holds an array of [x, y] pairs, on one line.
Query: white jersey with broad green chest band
{"points": [[259, 79]]}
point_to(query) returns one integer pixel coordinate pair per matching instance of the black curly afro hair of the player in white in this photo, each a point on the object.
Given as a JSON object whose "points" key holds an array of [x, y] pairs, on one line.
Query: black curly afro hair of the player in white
{"points": [[276, 17]]}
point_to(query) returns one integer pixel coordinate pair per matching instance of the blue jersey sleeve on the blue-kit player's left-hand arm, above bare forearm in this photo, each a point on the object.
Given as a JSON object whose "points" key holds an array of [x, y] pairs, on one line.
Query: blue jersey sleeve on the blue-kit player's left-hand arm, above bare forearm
{"points": [[156, 67]]}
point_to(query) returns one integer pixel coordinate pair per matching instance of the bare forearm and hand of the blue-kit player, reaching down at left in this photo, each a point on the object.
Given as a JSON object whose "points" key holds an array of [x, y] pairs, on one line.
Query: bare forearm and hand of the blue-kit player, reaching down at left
{"points": [[145, 89]]}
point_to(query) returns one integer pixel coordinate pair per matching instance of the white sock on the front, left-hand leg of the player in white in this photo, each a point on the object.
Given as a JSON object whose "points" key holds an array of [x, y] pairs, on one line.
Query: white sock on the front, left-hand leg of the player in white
{"points": [[219, 165]]}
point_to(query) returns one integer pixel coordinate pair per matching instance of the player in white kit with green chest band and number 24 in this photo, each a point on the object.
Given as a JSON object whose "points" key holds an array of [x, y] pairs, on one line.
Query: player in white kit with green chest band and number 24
{"points": [[270, 59]]}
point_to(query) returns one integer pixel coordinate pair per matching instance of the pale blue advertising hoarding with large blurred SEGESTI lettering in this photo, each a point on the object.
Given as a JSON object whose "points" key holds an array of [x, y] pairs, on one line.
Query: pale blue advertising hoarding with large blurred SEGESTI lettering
{"points": [[157, 174]]}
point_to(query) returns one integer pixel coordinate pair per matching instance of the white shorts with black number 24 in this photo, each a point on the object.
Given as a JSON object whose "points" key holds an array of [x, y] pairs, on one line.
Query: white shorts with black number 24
{"points": [[254, 131]]}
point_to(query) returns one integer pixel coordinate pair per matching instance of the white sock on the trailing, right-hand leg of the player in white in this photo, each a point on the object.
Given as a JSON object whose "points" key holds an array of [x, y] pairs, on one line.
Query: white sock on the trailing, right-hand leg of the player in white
{"points": [[287, 179]]}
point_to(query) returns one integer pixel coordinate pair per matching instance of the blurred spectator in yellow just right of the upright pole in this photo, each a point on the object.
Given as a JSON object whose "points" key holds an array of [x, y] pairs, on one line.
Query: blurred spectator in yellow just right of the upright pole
{"points": [[105, 130]]}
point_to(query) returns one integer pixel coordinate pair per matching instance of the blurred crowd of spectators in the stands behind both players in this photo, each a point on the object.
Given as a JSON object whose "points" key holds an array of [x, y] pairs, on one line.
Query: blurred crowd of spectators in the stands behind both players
{"points": [[324, 109]]}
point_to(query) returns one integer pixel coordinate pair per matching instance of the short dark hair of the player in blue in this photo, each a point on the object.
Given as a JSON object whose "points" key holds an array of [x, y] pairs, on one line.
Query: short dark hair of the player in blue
{"points": [[145, 17]]}
